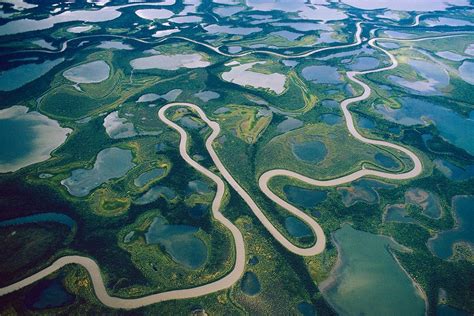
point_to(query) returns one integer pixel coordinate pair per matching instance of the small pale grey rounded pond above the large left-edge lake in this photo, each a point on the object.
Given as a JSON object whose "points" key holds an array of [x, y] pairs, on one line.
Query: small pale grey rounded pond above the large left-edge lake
{"points": [[93, 72]]}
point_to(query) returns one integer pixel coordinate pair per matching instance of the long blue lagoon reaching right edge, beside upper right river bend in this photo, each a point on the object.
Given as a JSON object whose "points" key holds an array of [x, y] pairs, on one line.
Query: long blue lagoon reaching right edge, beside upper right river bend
{"points": [[452, 126]]}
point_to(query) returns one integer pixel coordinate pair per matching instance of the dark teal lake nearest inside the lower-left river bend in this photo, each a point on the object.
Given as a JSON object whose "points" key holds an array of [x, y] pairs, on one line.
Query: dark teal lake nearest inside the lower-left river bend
{"points": [[179, 241]]}
